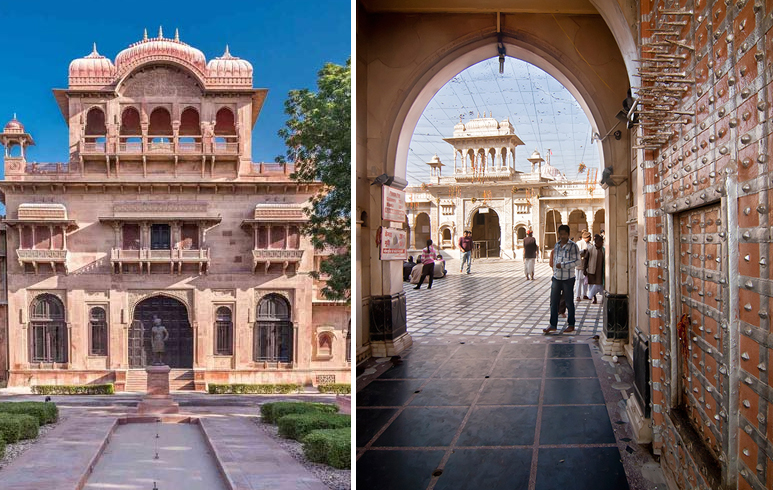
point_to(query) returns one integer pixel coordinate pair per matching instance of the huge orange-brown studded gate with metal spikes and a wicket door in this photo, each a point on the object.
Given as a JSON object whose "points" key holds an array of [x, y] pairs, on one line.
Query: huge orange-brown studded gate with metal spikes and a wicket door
{"points": [[721, 158]]}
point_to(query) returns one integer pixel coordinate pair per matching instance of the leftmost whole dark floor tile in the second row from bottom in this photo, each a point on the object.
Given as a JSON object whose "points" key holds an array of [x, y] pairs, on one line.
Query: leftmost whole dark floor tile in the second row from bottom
{"points": [[422, 427]]}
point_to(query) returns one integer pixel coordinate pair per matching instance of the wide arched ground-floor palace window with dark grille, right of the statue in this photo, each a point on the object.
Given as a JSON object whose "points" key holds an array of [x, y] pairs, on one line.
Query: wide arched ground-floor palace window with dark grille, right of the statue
{"points": [[273, 330]]}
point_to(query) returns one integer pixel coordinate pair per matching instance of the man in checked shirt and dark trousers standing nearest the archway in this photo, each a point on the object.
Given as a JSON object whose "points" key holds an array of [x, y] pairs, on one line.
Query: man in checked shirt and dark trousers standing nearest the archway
{"points": [[565, 260]]}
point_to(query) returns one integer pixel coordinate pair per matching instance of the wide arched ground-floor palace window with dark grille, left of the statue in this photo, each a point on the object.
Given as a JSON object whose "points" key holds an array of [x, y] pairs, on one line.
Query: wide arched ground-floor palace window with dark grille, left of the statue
{"points": [[48, 333]]}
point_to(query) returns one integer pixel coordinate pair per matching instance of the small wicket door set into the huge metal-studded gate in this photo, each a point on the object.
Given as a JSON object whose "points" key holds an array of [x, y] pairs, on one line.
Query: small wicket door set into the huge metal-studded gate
{"points": [[702, 332]]}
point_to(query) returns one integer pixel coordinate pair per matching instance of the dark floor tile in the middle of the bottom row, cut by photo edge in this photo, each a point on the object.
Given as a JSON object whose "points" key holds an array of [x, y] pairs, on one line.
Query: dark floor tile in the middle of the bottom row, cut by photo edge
{"points": [[475, 469]]}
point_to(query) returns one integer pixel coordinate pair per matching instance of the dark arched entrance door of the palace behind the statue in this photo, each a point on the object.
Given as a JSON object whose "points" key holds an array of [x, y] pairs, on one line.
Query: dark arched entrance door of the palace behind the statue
{"points": [[174, 316]]}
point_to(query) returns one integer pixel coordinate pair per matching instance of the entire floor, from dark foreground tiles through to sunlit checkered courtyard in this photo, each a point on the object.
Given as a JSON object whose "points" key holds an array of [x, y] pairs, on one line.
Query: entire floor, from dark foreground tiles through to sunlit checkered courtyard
{"points": [[484, 400]]}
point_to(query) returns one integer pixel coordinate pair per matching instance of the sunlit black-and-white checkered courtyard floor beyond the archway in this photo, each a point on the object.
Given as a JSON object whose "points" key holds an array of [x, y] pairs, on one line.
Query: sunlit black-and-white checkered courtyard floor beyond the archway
{"points": [[495, 300]]}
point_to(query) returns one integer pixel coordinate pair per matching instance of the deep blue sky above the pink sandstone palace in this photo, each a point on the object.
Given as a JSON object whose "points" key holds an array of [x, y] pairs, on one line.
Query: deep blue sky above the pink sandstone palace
{"points": [[286, 42]]}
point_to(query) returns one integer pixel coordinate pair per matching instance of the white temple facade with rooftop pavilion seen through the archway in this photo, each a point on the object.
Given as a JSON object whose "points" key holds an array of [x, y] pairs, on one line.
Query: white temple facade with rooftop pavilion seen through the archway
{"points": [[498, 198]]}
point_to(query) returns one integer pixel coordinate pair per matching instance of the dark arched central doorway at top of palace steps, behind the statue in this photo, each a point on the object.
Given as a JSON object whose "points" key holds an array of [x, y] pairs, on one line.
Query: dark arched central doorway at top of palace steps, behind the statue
{"points": [[174, 316]]}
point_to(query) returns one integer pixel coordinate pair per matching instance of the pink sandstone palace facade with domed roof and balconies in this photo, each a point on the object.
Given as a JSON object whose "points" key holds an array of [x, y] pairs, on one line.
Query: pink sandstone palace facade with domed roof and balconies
{"points": [[160, 211]]}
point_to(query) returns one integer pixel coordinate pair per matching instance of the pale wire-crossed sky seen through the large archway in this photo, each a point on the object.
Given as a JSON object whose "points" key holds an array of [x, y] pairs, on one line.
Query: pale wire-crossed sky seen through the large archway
{"points": [[545, 116]]}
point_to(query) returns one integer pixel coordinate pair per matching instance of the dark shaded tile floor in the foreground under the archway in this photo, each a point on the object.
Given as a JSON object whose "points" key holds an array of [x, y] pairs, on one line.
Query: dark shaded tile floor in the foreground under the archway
{"points": [[488, 416]]}
